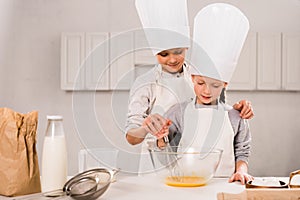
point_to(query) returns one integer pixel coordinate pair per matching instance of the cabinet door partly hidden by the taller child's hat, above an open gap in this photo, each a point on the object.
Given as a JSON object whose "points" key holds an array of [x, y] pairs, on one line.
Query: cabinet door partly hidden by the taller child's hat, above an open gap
{"points": [[143, 54]]}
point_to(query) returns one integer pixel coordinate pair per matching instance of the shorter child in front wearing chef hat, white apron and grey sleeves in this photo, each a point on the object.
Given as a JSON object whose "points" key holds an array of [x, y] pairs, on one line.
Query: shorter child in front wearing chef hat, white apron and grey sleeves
{"points": [[219, 34]]}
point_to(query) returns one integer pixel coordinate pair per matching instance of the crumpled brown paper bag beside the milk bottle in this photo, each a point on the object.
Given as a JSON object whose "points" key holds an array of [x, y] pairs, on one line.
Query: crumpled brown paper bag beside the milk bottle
{"points": [[19, 169]]}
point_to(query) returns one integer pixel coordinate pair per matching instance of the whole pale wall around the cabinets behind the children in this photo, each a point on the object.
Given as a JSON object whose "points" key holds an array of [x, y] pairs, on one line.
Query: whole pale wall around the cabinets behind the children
{"points": [[30, 72]]}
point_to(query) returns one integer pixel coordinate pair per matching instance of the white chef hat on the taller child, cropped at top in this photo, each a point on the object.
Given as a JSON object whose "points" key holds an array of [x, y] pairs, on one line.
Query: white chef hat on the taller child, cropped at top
{"points": [[165, 23]]}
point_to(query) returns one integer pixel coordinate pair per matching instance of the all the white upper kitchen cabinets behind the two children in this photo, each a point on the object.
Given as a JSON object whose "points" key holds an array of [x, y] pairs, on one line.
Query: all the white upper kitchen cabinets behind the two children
{"points": [[111, 61]]}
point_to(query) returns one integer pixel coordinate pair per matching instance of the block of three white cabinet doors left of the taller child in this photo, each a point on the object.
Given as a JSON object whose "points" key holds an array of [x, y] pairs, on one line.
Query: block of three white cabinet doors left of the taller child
{"points": [[95, 61]]}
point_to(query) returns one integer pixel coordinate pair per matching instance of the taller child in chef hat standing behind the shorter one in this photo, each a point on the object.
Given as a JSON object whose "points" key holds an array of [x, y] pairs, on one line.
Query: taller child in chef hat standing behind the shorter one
{"points": [[165, 24]]}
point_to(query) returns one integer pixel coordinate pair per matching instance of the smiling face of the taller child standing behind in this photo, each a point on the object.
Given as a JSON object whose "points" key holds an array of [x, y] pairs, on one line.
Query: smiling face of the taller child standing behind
{"points": [[172, 60]]}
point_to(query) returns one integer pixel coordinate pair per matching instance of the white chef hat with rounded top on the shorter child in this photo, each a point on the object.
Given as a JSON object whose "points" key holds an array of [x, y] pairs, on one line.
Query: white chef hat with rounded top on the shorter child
{"points": [[220, 31]]}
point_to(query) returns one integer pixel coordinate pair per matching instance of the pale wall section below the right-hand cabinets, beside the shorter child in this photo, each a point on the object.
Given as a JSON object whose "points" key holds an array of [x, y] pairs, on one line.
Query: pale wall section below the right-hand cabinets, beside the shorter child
{"points": [[275, 131]]}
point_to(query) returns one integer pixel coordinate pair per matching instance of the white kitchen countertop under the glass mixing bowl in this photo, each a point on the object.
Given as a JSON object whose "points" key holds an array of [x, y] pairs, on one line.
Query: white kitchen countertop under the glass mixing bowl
{"points": [[152, 187]]}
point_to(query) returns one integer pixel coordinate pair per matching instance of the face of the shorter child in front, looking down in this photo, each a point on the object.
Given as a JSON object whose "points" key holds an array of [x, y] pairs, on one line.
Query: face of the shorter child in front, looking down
{"points": [[207, 89]]}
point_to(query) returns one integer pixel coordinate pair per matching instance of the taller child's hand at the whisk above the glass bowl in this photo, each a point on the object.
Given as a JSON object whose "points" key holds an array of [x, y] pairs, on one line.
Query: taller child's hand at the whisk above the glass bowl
{"points": [[156, 125]]}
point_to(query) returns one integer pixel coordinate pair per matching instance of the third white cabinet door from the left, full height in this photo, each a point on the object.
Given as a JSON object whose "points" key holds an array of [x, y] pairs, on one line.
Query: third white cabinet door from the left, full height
{"points": [[121, 60]]}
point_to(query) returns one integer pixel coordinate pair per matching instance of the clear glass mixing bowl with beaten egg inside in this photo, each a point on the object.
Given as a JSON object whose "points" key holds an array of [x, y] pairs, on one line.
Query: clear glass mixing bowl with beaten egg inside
{"points": [[185, 167]]}
